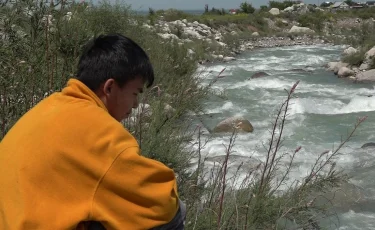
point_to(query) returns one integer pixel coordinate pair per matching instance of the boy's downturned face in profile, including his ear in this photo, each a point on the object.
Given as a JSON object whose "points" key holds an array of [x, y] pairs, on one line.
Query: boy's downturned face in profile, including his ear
{"points": [[121, 100]]}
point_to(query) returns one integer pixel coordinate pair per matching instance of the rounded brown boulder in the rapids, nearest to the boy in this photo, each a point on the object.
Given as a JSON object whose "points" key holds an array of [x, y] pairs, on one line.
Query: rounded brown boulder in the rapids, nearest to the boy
{"points": [[229, 124]]}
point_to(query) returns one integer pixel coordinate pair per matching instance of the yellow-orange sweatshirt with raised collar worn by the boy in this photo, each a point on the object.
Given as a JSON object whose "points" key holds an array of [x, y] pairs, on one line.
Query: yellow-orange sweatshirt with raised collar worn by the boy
{"points": [[67, 160]]}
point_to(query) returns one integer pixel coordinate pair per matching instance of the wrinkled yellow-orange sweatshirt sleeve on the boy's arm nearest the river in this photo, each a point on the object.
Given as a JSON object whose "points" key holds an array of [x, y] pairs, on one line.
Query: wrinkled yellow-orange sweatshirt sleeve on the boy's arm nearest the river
{"points": [[135, 193]]}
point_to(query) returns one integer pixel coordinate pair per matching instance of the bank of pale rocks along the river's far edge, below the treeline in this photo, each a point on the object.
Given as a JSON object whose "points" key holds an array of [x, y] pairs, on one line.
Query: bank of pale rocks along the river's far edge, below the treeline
{"points": [[225, 43]]}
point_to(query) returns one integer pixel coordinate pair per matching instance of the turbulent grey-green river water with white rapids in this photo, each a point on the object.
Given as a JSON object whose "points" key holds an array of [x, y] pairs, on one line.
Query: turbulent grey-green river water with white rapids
{"points": [[325, 110]]}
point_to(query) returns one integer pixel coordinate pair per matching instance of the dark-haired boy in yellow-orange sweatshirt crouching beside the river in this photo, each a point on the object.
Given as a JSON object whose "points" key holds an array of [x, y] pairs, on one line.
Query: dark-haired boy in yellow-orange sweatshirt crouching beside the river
{"points": [[68, 163]]}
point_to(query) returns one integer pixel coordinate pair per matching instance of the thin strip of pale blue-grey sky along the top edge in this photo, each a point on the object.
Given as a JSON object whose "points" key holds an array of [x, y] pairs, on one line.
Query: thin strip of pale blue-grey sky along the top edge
{"points": [[198, 4]]}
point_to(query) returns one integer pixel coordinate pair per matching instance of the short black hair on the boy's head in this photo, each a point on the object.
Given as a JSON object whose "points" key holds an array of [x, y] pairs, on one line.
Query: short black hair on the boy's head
{"points": [[113, 56]]}
